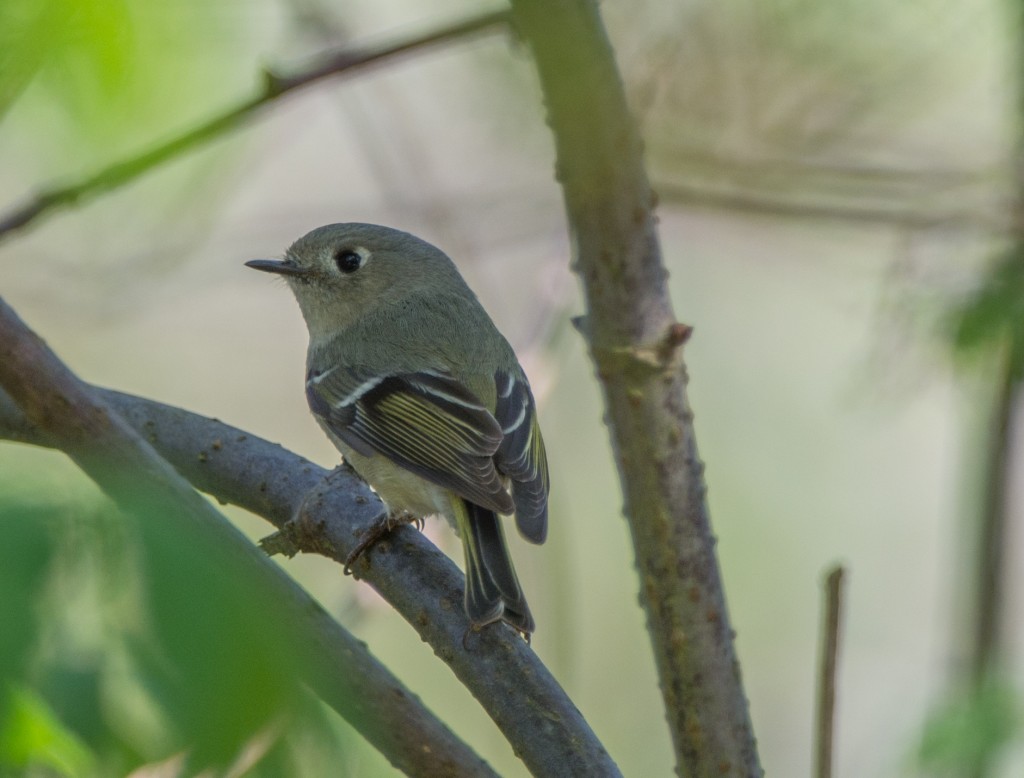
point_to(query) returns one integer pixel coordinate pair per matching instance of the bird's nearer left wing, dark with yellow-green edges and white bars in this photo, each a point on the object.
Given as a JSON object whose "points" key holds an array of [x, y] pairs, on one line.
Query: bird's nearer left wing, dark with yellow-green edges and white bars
{"points": [[425, 422]]}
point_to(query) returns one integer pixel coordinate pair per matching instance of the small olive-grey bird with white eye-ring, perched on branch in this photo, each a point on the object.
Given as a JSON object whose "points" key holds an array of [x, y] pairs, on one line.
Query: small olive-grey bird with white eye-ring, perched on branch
{"points": [[423, 397]]}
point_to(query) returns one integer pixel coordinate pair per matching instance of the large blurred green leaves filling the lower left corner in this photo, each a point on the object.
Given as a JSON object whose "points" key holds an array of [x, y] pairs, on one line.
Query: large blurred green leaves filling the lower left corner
{"points": [[123, 645]]}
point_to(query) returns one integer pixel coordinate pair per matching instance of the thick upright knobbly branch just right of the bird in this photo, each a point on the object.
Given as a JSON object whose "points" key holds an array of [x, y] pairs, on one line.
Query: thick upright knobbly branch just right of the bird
{"points": [[635, 343]]}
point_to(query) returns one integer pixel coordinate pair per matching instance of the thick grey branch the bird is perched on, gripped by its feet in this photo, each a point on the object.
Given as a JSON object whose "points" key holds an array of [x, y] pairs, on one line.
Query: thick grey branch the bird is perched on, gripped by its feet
{"points": [[545, 728]]}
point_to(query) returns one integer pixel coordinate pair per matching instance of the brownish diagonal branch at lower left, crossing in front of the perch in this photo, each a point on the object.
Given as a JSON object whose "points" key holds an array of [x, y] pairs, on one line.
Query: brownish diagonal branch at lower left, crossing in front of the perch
{"points": [[69, 415]]}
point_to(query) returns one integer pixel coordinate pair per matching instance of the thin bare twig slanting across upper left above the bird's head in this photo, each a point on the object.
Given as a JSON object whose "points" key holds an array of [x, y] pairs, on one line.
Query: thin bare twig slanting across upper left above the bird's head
{"points": [[275, 87]]}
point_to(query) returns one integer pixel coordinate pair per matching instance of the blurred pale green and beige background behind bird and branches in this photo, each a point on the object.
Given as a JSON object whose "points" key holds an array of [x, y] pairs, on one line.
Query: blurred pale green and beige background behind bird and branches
{"points": [[837, 185]]}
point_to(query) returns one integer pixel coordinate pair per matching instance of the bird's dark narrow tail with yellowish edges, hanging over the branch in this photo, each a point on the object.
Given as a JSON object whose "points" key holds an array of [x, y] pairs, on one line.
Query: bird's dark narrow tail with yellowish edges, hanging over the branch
{"points": [[493, 591]]}
